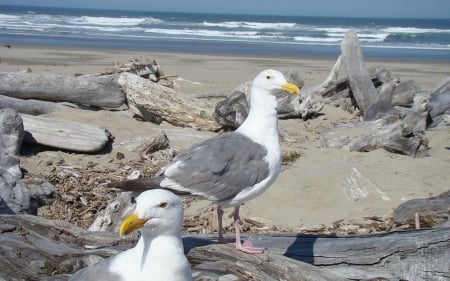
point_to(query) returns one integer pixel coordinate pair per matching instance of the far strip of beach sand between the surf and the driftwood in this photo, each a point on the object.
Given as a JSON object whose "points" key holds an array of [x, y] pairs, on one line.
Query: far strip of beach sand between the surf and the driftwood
{"points": [[206, 68]]}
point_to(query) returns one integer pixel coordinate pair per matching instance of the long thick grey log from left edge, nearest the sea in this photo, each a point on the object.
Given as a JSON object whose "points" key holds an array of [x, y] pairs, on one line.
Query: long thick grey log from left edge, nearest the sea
{"points": [[54, 87]]}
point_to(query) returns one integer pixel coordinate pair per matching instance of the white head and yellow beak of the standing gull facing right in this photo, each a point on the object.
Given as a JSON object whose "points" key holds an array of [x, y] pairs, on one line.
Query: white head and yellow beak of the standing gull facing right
{"points": [[272, 81]]}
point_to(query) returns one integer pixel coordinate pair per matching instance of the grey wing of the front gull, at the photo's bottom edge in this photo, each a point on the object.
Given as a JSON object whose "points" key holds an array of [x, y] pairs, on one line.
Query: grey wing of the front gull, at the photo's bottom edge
{"points": [[96, 272]]}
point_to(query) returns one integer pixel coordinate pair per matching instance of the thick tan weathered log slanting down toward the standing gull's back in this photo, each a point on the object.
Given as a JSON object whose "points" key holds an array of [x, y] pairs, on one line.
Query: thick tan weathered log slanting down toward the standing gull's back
{"points": [[156, 103]]}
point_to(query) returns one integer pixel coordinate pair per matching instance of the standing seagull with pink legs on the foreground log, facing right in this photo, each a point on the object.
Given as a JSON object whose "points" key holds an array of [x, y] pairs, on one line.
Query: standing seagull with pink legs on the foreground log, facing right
{"points": [[233, 167]]}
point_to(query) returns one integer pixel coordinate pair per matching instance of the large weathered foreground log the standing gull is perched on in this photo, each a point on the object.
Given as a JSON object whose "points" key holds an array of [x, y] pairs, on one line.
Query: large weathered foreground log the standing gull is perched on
{"points": [[39, 249]]}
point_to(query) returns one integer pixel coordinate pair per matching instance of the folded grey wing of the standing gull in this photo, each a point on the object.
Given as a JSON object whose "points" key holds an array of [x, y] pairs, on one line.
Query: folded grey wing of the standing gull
{"points": [[219, 168]]}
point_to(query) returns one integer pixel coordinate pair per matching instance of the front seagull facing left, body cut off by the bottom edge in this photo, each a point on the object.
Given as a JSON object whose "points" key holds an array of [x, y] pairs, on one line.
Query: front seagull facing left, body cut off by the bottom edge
{"points": [[159, 253]]}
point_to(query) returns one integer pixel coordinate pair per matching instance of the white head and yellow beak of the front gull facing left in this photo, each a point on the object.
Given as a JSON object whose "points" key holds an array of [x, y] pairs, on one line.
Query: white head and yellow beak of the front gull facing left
{"points": [[158, 212]]}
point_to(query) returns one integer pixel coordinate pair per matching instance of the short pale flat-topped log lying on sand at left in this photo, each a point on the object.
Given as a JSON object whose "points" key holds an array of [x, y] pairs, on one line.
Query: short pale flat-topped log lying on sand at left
{"points": [[66, 135]]}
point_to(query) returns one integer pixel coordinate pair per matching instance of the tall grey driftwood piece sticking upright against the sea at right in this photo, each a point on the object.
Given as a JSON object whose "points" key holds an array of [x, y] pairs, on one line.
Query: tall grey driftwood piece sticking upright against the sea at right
{"points": [[361, 85]]}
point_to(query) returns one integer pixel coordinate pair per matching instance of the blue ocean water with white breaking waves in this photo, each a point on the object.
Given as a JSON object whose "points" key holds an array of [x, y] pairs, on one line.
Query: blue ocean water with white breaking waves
{"points": [[292, 36]]}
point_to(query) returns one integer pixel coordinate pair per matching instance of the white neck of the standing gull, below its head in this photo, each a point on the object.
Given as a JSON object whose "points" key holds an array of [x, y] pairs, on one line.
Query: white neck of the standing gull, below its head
{"points": [[261, 123]]}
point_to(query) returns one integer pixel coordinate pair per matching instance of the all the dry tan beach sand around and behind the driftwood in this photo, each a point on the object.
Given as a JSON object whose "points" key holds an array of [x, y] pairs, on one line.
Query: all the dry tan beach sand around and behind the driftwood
{"points": [[309, 192]]}
